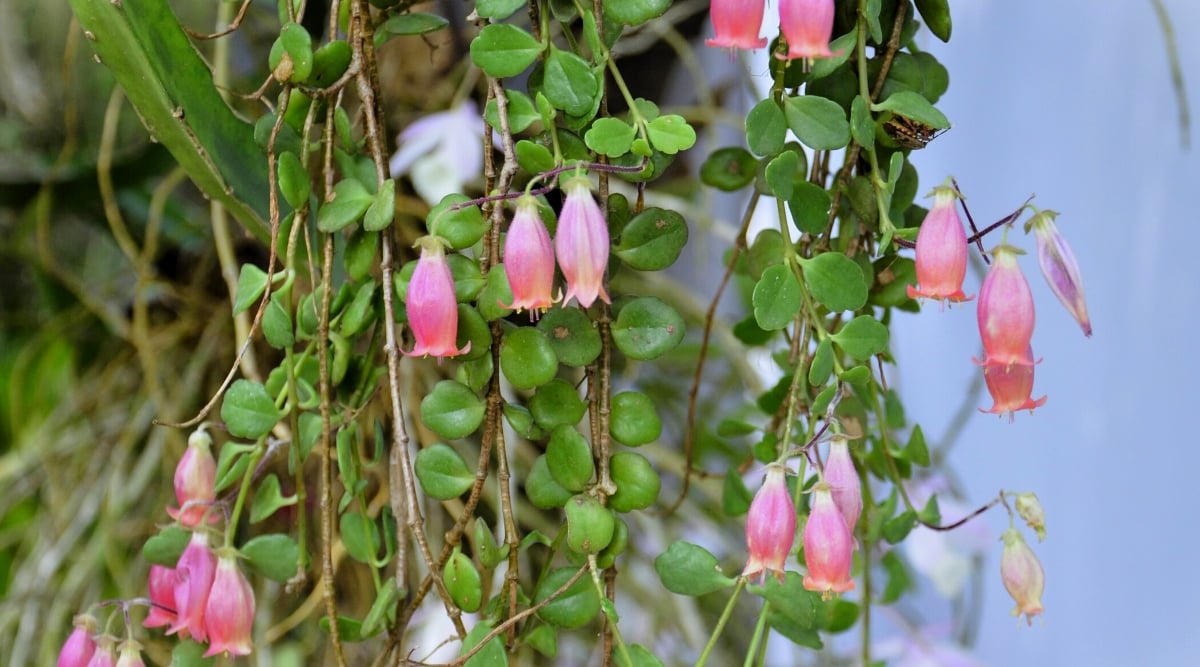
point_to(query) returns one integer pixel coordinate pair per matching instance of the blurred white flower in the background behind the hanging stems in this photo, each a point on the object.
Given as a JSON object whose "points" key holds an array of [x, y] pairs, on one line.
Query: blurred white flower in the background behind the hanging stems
{"points": [[442, 153]]}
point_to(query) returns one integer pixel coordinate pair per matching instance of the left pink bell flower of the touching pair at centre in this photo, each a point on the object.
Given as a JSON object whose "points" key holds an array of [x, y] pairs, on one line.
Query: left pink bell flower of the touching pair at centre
{"points": [[530, 260]]}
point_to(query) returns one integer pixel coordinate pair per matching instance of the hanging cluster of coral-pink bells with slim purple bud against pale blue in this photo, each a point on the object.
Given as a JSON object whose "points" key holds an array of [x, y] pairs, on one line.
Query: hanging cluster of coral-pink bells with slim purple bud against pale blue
{"points": [[1005, 313]]}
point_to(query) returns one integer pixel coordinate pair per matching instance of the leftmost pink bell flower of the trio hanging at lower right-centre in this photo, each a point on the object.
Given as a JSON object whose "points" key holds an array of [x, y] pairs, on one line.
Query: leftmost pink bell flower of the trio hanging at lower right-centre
{"points": [[771, 526]]}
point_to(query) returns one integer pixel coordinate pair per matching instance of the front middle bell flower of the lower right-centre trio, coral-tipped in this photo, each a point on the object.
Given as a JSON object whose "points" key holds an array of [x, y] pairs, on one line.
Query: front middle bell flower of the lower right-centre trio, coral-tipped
{"points": [[829, 551]]}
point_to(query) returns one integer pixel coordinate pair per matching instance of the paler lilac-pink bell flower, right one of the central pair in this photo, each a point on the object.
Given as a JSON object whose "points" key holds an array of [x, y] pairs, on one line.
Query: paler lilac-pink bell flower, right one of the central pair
{"points": [[583, 244]]}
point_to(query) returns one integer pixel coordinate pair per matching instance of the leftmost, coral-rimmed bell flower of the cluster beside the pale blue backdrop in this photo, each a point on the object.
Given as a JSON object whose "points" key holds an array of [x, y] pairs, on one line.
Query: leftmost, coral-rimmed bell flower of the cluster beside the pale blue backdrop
{"points": [[941, 251]]}
